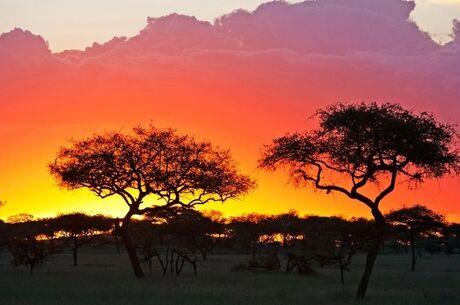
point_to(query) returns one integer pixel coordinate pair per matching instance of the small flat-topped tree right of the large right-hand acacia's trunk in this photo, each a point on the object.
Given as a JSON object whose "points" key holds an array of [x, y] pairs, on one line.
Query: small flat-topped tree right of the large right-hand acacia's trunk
{"points": [[417, 221]]}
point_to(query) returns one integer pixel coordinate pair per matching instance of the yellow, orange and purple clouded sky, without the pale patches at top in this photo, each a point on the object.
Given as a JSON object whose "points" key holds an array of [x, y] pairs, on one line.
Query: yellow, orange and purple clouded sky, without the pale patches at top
{"points": [[237, 93]]}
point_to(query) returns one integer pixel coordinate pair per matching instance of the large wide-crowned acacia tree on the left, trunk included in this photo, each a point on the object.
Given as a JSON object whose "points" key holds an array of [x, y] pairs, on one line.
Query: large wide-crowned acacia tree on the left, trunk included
{"points": [[151, 170]]}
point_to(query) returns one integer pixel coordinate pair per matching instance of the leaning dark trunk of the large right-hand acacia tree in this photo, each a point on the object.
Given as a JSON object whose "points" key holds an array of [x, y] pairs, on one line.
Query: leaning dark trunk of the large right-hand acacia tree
{"points": [[372, 253]]}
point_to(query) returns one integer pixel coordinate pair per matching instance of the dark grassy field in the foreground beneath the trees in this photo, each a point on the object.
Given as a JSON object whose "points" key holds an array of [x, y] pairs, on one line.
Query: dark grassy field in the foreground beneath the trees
{"points": [[104, 278]]}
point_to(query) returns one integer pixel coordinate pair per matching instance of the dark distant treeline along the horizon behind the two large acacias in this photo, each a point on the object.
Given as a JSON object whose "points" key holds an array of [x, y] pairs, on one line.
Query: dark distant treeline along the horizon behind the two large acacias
{"points": [[185, 236]]}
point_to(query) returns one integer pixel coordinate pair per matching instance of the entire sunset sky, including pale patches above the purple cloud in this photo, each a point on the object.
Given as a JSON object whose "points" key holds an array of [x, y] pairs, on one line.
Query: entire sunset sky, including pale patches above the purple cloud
{"points": [[236, 78]]}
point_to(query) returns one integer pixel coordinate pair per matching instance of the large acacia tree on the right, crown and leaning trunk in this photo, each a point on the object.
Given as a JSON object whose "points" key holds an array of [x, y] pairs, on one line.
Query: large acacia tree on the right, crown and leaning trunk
{"points": [[360, 145]]}
